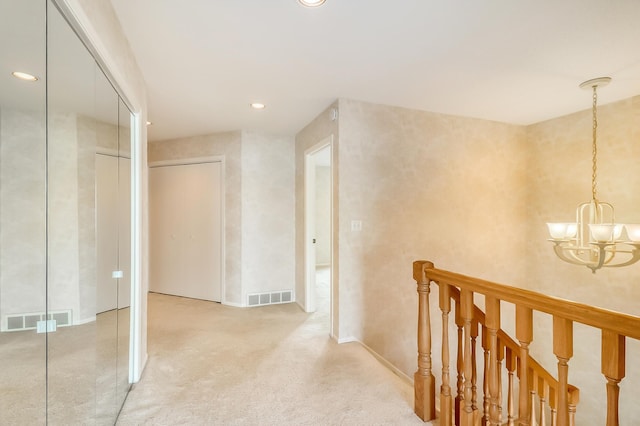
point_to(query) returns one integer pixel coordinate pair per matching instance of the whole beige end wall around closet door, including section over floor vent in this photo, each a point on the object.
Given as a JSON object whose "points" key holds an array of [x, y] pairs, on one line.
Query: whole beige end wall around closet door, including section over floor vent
{"points": [[259, 206]]}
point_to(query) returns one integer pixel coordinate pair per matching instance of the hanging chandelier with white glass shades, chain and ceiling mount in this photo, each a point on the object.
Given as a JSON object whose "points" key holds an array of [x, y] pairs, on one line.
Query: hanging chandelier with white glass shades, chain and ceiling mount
{"points": [[595, 240]]}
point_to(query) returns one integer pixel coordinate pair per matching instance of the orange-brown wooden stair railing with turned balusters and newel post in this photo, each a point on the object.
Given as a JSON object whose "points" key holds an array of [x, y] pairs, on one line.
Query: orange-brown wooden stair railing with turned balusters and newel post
{"points": [[540, 395]]}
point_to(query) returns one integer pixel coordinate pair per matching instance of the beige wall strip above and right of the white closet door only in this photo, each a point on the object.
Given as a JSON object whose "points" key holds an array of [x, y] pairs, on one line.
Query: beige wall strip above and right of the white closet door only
{"points": [[227, 145]]}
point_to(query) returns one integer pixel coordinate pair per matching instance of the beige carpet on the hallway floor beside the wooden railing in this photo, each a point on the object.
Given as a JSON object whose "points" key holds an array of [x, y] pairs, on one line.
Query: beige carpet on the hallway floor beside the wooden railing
{"points": [[211, 364]]}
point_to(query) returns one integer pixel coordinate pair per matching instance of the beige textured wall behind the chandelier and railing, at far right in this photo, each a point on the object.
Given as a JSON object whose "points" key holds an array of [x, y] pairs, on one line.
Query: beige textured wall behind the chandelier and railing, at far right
{"points": [[560, 178]]}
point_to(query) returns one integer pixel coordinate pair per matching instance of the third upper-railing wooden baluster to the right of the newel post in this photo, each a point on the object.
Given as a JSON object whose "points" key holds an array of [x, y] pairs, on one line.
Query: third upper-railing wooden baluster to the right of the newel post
{"points": [[492, 305]]}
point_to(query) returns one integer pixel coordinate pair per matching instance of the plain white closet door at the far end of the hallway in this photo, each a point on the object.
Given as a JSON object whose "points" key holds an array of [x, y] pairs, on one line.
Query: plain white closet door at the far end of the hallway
{"points": [[185, 232]]}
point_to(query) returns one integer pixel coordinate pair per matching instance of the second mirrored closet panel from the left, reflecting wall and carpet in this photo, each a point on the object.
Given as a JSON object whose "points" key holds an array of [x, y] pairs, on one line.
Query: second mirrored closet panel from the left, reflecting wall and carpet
{"points": [[72, 88]]}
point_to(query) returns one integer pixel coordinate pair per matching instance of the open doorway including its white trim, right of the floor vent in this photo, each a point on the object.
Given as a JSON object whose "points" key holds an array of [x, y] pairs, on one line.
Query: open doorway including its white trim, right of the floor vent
{"points": [[318, 216]]}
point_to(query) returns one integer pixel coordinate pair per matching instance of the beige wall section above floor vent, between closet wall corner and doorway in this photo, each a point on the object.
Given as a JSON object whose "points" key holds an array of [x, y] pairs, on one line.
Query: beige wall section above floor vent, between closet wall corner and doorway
{"points": [[268, 206]]}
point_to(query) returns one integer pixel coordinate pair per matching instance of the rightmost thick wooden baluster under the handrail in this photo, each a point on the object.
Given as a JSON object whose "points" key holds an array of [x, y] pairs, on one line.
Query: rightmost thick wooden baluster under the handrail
{"points": [[613, 368]]}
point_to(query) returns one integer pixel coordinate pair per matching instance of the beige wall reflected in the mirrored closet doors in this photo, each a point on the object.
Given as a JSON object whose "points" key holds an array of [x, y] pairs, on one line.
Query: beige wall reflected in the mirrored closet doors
{"points": [[73, 142]]}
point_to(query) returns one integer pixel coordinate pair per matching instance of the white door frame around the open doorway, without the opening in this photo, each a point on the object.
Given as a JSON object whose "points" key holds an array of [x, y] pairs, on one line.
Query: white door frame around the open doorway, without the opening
{"points": [[309, 229]]}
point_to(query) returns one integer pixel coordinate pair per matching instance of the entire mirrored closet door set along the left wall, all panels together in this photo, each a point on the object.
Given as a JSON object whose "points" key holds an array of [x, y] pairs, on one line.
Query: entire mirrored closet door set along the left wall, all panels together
{"points": [[65, 226]]}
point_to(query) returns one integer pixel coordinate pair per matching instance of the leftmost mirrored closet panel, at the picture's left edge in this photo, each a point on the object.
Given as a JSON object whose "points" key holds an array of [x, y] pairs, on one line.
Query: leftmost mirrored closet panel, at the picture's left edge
{"points": [[22, 212]]}
